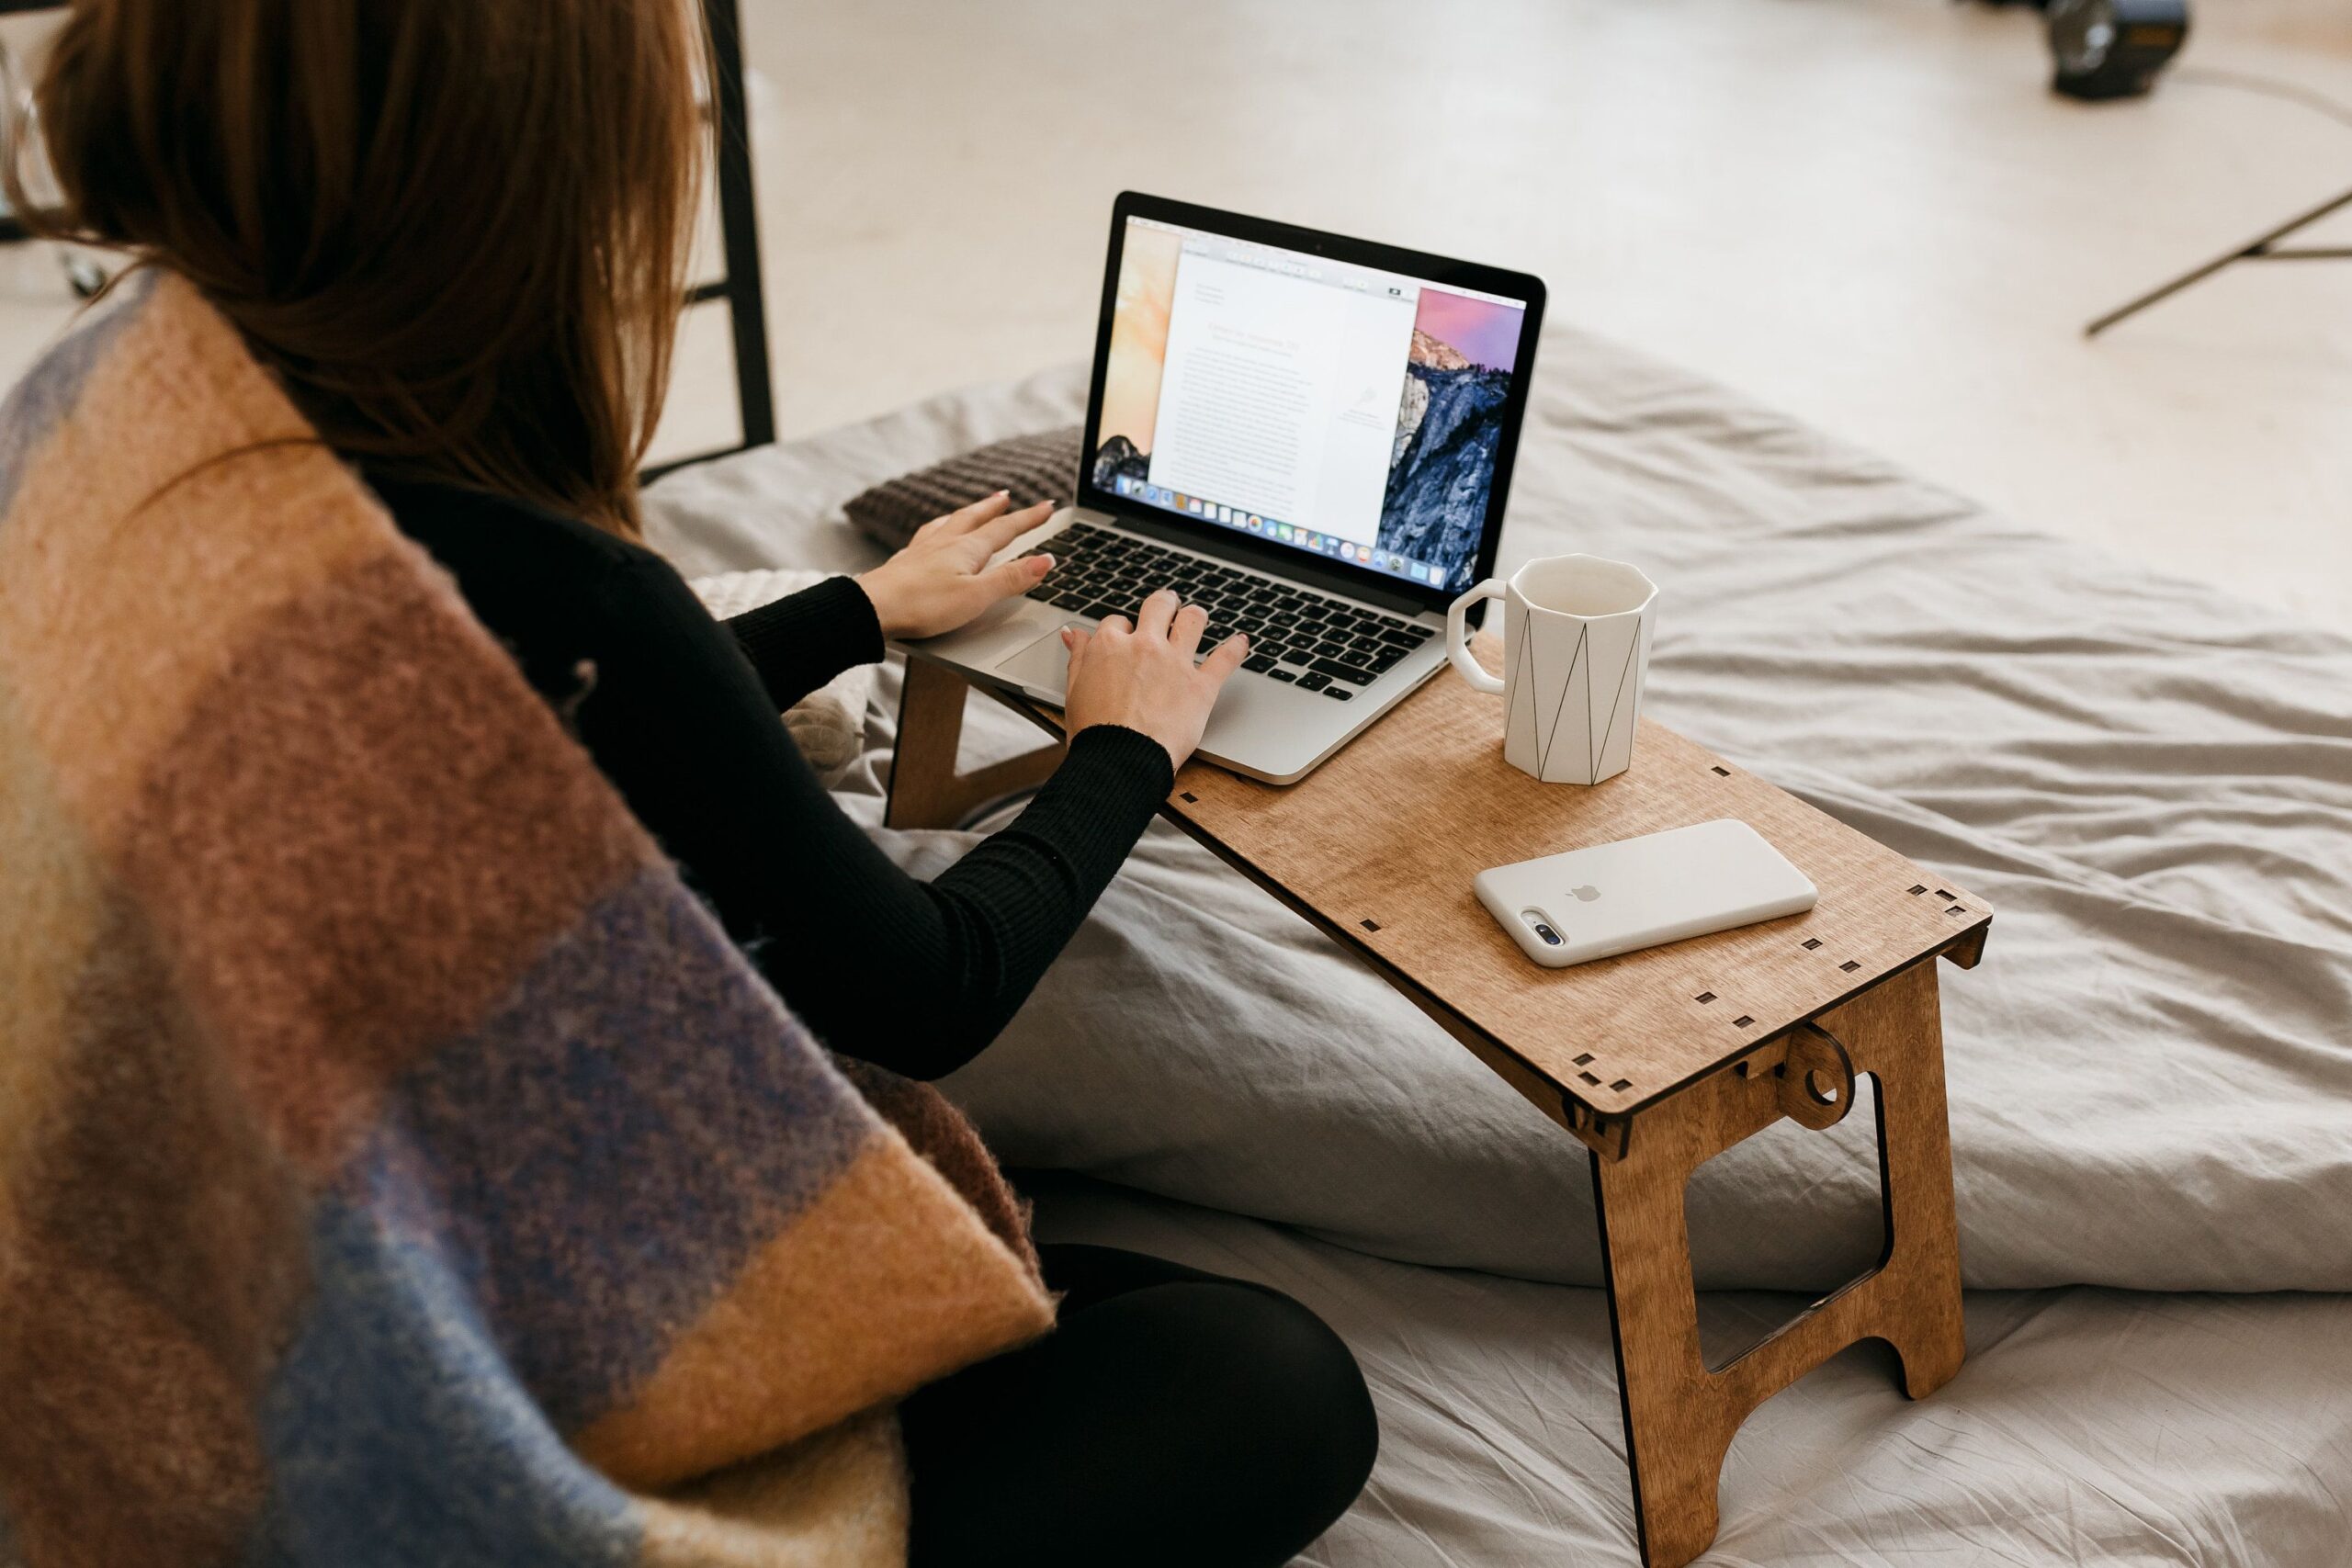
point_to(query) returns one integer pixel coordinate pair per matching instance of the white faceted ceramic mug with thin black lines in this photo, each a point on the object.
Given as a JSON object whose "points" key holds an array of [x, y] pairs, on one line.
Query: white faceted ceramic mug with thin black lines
{"points": [[1575, 655]]}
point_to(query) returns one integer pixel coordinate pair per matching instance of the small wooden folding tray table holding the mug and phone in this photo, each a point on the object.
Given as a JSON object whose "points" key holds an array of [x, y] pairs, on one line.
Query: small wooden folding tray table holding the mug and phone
{"points": [[1657, 1061]]}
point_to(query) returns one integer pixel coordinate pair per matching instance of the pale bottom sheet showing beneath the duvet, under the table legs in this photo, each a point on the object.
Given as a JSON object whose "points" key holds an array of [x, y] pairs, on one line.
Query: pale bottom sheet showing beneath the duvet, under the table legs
{"points": [[2085, 1428]]}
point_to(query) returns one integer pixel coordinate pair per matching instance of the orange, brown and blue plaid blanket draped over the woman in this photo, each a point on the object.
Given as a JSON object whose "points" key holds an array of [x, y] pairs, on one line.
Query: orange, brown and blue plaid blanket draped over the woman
{"points": [[396, 1162]]}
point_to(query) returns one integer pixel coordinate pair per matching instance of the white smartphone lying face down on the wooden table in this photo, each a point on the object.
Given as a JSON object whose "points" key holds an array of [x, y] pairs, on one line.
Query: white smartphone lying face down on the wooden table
{"points": [[1664, 887]]}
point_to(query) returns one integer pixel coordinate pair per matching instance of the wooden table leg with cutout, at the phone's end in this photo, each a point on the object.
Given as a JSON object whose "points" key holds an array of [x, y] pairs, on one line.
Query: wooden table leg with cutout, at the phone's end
{"points": [[1678, 1414]]}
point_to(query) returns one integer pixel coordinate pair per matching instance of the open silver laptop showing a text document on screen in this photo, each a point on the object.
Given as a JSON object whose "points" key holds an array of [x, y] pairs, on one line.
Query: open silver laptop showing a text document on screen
{"points": [[1307, 436]]}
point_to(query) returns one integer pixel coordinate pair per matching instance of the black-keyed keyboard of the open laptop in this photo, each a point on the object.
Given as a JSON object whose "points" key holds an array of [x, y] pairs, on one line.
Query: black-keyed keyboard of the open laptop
{"points": [[1295, 634]]}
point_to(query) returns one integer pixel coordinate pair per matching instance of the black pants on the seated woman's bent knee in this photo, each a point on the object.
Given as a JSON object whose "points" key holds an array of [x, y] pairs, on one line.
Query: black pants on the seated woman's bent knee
{"points": [[1170, 1419]]}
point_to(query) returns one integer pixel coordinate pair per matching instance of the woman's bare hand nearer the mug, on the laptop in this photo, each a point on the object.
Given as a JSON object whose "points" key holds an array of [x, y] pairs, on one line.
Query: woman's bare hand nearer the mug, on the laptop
{"points": [[1144, 678]]}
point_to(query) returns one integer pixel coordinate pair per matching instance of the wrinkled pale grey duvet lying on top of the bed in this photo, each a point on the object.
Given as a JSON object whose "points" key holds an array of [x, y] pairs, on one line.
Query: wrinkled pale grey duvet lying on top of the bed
{"points": [[2153, 784]]}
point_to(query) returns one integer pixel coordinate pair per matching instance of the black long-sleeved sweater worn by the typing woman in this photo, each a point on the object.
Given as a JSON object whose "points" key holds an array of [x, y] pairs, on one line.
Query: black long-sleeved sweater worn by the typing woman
{"points": [[681, 716]]}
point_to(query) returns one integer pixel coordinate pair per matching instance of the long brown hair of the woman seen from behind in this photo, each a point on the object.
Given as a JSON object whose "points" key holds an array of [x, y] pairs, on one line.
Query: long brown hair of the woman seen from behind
{"points": [[455, 229]]}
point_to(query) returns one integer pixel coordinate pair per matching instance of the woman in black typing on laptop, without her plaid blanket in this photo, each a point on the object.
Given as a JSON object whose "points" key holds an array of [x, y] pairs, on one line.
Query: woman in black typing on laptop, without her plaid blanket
{"points": [[457, 236]]}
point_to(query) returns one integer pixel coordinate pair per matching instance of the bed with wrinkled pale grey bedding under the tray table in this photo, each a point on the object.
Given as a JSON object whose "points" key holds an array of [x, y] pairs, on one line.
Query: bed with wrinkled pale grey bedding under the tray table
{"points": [[2151, 1073]]}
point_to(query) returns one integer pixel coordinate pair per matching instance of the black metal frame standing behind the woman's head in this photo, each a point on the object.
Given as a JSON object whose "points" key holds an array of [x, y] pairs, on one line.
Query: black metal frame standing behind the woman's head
{"points": [[740, 288]]}
